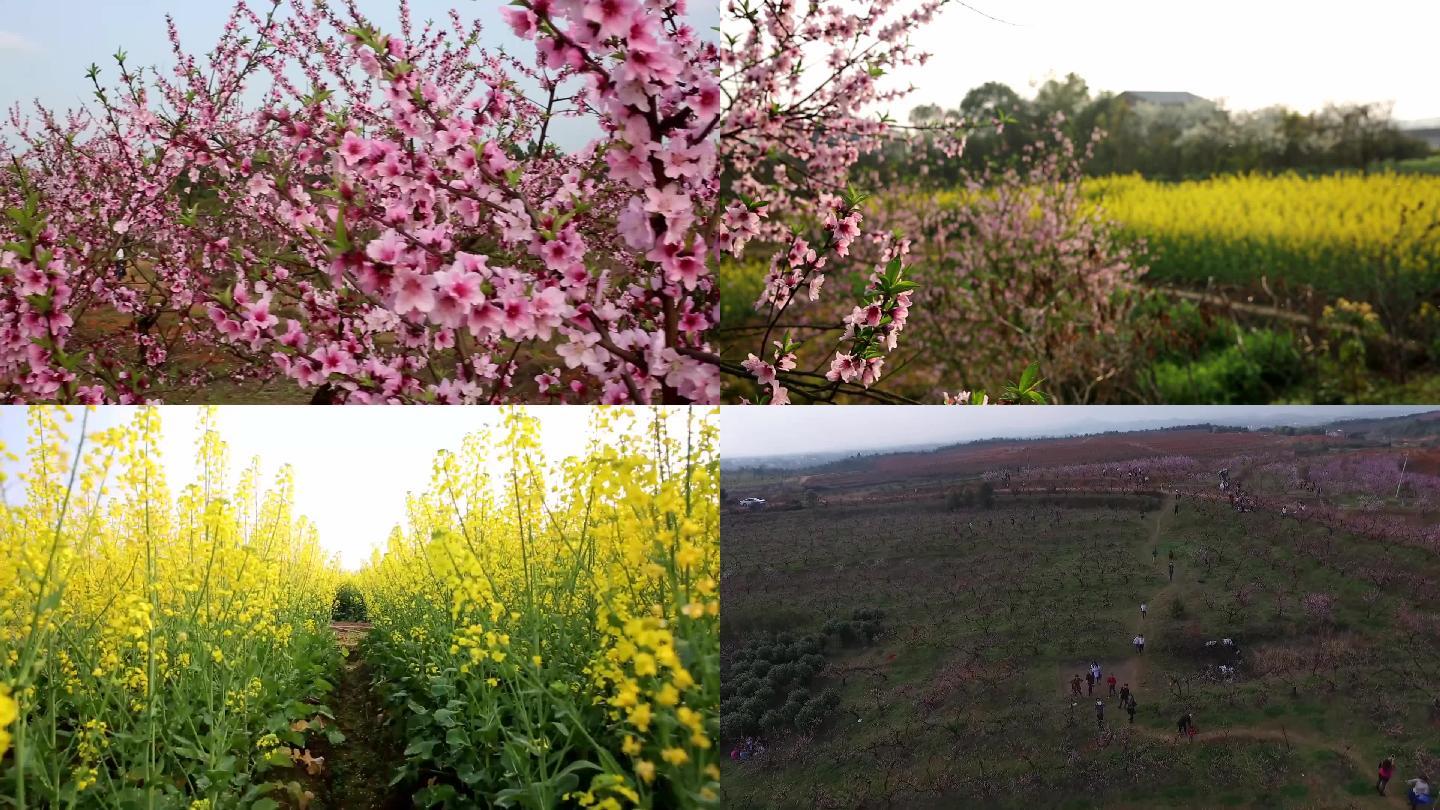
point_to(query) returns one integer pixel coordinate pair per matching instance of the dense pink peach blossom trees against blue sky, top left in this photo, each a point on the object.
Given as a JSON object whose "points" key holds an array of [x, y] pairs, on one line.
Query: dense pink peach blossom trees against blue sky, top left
{"points": [[388, 223]]}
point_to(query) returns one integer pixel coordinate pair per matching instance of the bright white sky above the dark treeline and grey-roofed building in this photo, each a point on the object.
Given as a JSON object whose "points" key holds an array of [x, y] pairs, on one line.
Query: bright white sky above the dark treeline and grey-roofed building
{"points": [[1252, 54]]}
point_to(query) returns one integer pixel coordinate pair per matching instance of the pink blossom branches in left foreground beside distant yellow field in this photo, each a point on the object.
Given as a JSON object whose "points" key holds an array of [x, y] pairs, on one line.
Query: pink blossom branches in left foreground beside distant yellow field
{"points": [[806, 93]]}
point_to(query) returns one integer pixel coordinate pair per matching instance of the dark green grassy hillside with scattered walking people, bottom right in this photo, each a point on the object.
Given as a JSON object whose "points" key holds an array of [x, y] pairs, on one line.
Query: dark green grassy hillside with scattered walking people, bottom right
{"points": [[961, 698]]}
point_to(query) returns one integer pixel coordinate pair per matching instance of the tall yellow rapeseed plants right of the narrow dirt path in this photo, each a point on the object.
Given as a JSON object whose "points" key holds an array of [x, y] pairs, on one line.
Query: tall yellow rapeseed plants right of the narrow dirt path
{"points": [[549, 635]]}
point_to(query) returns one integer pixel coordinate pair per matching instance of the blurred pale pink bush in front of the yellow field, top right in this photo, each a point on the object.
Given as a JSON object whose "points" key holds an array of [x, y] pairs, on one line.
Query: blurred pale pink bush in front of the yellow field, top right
{"points": [[1016, 263]]}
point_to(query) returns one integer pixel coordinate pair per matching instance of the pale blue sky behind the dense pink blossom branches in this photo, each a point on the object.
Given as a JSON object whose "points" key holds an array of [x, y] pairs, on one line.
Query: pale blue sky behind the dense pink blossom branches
{"points": [[47, 45]]}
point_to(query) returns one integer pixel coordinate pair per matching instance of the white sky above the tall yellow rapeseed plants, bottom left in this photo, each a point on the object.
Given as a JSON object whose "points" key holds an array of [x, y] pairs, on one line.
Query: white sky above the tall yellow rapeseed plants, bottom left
{"points": [[354, 466]]}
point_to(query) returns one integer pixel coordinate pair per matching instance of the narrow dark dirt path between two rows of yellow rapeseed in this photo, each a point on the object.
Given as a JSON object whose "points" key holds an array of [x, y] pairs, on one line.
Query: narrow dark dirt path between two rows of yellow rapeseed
{"points": [[359, 769]]}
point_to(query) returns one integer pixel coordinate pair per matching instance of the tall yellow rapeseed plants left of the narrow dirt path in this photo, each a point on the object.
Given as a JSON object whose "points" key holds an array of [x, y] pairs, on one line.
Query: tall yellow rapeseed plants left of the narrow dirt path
{"points": [[156, 649]]}
